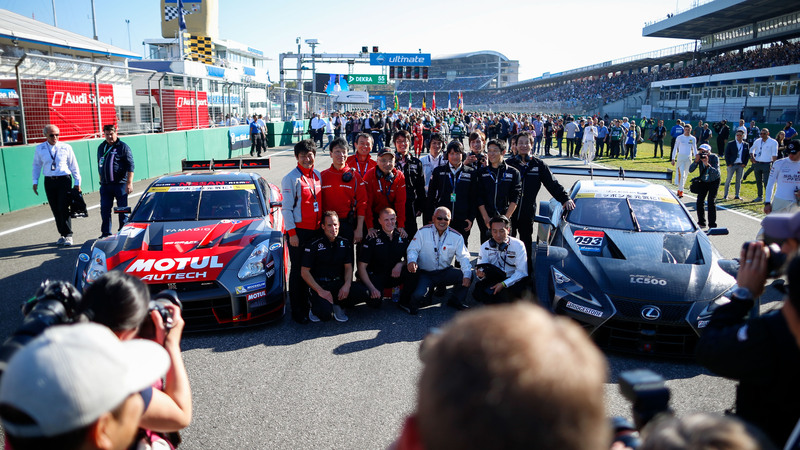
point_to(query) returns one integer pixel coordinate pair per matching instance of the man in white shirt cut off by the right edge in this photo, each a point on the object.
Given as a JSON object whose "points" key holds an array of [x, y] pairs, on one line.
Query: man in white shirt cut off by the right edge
{"points": [[784, 178]]}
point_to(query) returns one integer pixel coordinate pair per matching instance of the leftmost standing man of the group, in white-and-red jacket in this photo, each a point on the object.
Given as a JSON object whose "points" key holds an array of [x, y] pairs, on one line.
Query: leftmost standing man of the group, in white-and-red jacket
{"points": [[302, 211]]}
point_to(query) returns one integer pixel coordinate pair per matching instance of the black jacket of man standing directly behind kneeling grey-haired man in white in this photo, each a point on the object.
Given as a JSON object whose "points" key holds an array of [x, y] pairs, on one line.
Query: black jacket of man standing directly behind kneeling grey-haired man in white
{"points": [[454, 188]]}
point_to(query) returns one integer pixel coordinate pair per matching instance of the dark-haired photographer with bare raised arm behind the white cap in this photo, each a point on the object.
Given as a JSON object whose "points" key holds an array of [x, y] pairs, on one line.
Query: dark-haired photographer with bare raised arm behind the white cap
{"points": [[122, 303]]}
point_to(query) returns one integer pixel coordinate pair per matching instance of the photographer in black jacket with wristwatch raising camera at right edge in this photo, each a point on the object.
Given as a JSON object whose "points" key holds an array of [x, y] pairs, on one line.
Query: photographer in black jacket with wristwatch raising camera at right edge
{"points": [[759, 352]]}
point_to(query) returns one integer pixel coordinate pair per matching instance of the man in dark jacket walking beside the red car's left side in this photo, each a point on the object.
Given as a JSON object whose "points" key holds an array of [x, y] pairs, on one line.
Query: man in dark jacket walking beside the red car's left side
{"points": [[115, 164]]}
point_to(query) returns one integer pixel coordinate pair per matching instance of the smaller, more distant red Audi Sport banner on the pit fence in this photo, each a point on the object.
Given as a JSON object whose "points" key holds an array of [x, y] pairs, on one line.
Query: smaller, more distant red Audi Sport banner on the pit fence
{"points": [[181, 109]]}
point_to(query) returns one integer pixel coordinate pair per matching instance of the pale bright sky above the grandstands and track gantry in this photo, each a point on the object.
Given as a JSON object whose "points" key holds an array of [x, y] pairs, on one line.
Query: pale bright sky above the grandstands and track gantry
{"points": [[544, 36]]}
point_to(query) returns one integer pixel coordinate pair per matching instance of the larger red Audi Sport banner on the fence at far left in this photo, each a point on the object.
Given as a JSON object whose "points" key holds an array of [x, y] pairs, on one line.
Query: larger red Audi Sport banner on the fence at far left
{"points": [[70, 105]]}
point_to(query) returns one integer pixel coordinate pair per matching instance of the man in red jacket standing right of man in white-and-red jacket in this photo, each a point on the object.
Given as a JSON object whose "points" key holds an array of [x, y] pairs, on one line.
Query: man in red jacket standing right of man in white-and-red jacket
{"points": [[344, 191]]}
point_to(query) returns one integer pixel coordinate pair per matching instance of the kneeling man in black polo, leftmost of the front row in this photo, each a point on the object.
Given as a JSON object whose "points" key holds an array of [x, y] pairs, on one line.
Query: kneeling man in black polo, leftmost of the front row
{"points": [[328, 271]]}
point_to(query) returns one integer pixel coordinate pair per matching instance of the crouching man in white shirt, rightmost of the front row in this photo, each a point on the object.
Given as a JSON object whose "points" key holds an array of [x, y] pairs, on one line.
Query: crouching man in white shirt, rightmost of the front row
{"points": [[502, 266]]}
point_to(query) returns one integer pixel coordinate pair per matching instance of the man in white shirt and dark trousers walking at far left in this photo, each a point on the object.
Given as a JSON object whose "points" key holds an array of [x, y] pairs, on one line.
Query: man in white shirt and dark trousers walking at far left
{"points": [[60, 167]]}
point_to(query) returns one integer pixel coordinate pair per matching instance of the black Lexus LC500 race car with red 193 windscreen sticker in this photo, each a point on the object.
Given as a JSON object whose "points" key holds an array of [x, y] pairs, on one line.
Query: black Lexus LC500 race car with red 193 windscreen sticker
{"points": [[631, 266]]}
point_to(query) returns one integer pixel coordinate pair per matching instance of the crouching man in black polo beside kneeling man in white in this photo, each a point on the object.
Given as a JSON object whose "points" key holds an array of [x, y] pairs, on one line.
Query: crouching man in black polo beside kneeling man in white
{"points": [[381, 262]]}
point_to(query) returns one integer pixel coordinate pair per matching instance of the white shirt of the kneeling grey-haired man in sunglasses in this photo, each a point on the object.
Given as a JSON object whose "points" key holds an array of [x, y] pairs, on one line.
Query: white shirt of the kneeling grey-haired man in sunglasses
{"points": [[434, 252]]}
